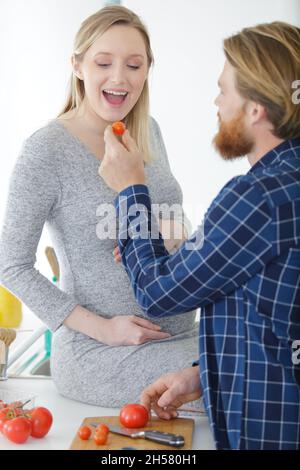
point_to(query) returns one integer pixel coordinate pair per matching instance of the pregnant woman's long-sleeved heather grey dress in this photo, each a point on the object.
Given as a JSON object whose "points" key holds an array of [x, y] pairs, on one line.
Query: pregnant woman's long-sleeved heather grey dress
{"points": [[55, 182]]}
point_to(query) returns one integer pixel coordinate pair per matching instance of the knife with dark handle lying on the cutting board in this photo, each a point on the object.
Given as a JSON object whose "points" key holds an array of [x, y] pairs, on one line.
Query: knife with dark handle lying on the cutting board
{"points": [[156, 436]]}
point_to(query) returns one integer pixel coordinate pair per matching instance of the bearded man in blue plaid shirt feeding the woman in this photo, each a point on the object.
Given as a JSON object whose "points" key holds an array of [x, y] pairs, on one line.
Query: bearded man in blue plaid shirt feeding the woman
{"points": [[246, 274]]}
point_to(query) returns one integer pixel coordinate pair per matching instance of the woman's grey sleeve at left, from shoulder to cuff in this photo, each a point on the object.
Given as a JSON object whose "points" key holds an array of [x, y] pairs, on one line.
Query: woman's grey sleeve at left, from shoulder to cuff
{"points": [[34, 190]]}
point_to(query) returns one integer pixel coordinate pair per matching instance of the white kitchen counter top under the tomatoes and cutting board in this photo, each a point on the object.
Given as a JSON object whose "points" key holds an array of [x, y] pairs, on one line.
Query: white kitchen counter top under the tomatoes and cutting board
{"points": [[68, 415]]}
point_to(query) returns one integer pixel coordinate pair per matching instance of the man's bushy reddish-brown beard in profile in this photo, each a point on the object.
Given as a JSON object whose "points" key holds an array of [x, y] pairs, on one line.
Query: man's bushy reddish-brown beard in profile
{"points": [[232, 141]]}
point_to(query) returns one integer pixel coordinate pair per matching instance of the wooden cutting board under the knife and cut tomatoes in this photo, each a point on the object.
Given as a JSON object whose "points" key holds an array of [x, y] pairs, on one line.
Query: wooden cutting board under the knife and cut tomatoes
{"points": [[180, 426]]}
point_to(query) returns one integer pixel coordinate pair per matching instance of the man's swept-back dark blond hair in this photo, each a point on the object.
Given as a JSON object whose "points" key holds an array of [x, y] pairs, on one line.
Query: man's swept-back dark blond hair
{"points": [[266, 59]]}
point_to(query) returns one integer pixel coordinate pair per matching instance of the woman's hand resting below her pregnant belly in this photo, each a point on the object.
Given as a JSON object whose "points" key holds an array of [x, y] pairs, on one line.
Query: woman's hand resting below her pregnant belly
{"points": [[131, 330]]}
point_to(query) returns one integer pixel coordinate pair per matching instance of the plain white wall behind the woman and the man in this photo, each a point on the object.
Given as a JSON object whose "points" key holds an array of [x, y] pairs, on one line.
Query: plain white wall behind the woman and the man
{"points": [[36, 38]]}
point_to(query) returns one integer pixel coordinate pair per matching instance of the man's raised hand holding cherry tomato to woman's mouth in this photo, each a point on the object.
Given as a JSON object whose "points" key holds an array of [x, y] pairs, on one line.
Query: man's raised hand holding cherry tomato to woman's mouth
{"points": [[122, 165]]}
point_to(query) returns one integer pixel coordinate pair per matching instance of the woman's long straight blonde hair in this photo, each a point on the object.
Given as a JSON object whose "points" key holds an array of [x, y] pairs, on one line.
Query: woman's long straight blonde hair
{"points": [[137, 121]]}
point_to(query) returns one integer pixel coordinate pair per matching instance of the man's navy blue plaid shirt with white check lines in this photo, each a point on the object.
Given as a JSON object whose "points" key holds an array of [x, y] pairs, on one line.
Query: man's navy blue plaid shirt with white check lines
{"points": [[245, 276]]}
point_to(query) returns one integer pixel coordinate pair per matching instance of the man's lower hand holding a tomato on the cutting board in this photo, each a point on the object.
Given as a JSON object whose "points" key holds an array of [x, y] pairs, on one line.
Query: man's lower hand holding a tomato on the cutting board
{"points": [[171, 391]]}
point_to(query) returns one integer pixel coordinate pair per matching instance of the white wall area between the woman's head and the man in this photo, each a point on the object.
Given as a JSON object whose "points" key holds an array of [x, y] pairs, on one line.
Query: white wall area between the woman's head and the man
{"points": [[187, 42]]}
